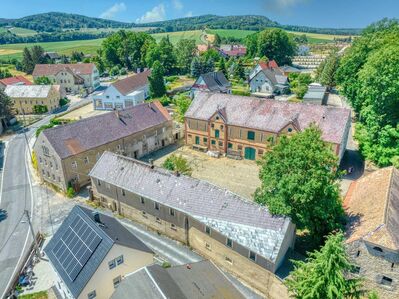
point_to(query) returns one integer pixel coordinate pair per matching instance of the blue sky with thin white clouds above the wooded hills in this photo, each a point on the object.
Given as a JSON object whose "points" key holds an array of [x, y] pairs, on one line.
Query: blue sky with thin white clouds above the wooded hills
{"points": [[318, 13]]}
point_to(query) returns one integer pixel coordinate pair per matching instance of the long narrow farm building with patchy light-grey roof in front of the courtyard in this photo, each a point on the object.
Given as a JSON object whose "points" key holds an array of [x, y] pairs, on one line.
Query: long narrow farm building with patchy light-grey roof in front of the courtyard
{"points": [[235, 233]]}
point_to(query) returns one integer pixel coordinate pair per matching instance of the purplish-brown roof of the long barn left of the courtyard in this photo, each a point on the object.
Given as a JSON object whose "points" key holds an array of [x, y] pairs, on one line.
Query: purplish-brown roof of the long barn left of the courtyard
{"points": [[74, 138]]}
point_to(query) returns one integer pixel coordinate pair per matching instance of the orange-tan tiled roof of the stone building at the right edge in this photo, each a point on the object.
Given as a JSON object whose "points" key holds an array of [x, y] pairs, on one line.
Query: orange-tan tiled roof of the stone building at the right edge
{"points": [[372, 206]]}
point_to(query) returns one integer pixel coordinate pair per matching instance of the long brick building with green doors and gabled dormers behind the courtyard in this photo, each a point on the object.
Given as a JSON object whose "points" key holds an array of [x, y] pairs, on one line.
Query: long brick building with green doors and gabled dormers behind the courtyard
{"points": [[245, 127]]}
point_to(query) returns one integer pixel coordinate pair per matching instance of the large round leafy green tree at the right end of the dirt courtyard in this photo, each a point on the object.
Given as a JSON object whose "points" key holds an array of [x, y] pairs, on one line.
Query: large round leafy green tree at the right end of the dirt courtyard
{"points": [[299, 179]]}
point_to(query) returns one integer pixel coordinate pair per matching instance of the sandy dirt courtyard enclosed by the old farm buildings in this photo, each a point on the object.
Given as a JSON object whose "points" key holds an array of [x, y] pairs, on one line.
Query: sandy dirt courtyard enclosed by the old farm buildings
{"points": [[239, 176]]}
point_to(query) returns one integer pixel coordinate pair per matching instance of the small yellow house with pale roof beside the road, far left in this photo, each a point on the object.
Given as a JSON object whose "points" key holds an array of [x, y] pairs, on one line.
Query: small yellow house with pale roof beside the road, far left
{"points": [[30, 99]]}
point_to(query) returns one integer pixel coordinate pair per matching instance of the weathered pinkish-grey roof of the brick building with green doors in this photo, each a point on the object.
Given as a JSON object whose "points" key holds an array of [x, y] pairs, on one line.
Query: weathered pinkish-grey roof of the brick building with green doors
{"points": [[270, 115]]}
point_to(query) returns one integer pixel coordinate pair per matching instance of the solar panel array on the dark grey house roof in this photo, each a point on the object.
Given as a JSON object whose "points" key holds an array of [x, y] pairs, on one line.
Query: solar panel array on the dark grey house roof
{"points": [[76, 247]]}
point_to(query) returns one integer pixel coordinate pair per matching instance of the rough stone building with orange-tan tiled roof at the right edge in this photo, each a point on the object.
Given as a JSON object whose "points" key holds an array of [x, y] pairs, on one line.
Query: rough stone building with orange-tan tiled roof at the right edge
{"points": [[372, 239]]}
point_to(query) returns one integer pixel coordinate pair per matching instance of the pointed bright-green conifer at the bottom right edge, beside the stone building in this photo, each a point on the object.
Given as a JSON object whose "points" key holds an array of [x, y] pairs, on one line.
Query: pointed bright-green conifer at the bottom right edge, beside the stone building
{"points": [[325, 274]]}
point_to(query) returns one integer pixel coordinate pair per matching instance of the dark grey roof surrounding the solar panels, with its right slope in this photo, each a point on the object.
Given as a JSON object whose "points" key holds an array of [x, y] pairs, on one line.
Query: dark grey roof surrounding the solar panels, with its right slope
{"points": [[109, 231]]}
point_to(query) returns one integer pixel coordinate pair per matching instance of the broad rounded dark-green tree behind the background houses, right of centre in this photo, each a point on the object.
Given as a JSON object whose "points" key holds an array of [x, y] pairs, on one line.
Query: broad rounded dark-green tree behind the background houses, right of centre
{"points": [[276, 44]]}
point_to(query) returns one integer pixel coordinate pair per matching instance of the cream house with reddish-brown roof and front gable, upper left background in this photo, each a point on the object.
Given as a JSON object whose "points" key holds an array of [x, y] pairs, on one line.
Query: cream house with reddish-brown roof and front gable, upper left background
{"points": [[73, 78]]}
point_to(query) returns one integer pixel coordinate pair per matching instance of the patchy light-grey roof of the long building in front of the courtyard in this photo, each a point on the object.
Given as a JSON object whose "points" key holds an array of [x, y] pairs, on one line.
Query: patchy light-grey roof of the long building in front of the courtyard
{"points": [[243, 221]]}
